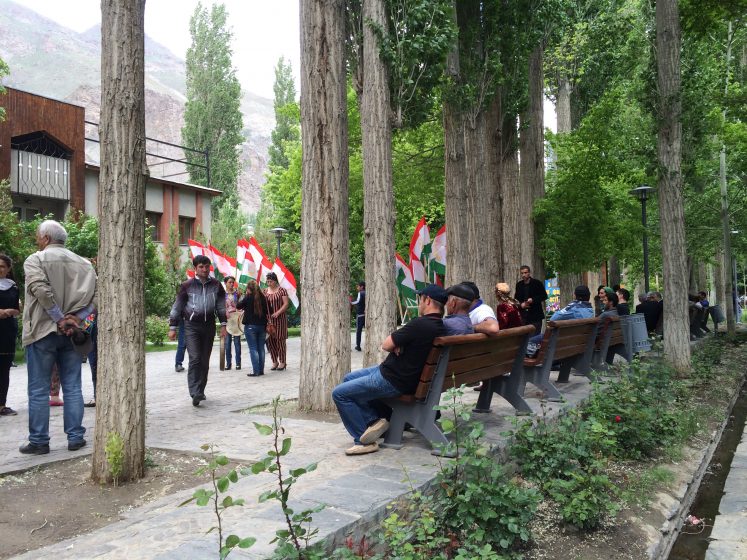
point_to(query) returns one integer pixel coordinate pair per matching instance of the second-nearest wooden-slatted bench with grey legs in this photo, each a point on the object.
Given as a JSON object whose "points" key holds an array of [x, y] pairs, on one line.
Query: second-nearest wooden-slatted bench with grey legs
{"points": [[567, 344]]}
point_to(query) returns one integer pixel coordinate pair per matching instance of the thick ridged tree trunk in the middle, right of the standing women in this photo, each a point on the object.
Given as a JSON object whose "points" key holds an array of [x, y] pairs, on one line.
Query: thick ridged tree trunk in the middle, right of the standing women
{"points": [[325, 272]]}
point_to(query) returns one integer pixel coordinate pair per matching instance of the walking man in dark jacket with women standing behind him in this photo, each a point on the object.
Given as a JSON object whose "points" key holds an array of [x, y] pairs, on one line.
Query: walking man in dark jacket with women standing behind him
{"points": [[261, 313]]}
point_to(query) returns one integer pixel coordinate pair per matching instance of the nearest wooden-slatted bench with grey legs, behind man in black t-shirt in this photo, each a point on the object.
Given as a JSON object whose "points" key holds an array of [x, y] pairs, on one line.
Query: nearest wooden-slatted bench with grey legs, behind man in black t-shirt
{"points": [[457, 360]]}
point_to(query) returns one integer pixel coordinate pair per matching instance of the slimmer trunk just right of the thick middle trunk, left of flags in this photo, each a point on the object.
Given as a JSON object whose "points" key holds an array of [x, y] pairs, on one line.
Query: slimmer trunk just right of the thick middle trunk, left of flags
{"points": [[378, 198]]}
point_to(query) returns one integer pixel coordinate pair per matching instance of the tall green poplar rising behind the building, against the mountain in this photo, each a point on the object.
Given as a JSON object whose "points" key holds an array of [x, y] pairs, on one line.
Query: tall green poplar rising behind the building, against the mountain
{"points": [[212, 115]]}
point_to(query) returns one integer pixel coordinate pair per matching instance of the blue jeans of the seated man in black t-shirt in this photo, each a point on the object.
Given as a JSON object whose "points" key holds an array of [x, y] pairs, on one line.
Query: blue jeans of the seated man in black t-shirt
{"points": [[354, 395]]}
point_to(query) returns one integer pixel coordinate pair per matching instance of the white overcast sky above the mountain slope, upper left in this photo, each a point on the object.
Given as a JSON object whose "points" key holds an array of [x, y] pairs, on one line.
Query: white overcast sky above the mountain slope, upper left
{"points": [[263, 31]]}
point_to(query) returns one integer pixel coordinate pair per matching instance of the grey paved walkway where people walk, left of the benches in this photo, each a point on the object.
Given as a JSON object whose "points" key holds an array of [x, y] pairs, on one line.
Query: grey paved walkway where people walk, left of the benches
{"points": [[355, 489]]}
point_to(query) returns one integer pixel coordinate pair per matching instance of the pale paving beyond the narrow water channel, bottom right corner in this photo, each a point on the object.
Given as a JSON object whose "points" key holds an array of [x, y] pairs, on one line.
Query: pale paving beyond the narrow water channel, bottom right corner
{"points": [[729, 534]]}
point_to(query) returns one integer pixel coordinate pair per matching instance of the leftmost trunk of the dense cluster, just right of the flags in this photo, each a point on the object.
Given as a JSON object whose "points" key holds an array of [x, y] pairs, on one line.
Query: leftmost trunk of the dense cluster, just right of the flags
{"points": [[455, 195]]}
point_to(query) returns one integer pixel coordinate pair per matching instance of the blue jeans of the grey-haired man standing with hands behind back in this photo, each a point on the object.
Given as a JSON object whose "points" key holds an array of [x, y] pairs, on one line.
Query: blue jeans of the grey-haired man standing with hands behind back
{"points": [[40, 357]]}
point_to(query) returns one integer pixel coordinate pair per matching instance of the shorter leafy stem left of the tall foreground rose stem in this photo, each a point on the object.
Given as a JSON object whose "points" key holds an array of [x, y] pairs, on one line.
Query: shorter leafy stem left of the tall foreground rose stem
{"points": [[203, 497]]}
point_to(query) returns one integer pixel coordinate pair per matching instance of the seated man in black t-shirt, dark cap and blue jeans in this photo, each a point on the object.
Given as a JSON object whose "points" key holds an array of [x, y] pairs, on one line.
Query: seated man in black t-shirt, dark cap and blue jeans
{"points": [[398, 374]]}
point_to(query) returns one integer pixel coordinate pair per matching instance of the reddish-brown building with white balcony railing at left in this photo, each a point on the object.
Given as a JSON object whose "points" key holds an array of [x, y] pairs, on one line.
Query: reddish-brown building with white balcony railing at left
{"points": [[52, 166]]}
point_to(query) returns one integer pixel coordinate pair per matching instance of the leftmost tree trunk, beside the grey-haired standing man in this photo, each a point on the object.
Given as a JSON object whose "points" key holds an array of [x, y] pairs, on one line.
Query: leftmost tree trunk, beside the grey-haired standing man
{"points": [[120, 393]]}
